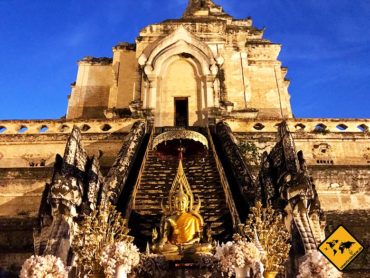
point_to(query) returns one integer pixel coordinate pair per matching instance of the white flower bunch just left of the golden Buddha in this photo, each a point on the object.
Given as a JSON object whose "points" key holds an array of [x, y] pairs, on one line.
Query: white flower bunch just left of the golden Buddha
{"points": [[121, 253]]}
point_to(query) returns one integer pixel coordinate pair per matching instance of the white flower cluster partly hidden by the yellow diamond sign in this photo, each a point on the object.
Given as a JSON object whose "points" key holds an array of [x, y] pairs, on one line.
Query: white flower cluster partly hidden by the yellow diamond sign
{"points": [[316, 265]]}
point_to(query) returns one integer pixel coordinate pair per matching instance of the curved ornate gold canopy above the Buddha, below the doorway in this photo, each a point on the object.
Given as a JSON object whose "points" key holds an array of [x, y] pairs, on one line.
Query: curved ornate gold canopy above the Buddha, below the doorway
{"points": [[180, 134]]}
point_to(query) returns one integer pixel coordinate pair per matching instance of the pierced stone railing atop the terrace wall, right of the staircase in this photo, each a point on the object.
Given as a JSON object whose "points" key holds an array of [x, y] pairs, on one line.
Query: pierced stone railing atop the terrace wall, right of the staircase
{"points": [[314, 125]]}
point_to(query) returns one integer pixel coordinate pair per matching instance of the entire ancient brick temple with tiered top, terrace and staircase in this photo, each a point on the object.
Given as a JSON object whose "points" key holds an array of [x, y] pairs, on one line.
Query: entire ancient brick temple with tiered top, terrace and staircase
{"points": [[215, 84]]}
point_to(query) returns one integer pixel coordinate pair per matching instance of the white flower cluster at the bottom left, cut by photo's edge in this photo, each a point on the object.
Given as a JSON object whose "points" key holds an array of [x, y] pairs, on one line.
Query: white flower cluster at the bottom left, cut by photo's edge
{"points": [[44, 267]]}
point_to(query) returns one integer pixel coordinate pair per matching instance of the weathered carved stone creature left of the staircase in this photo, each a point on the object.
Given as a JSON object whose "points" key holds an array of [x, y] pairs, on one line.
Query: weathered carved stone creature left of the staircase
{"points": [[62, 200]]}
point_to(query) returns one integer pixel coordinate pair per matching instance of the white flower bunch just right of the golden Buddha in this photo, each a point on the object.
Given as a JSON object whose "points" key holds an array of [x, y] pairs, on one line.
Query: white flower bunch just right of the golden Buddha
{"points": [[238, 253]]}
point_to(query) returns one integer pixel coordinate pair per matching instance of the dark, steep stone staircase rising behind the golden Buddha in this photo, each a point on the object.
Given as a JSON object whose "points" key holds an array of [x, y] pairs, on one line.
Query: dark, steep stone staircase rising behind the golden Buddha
{"points": [[156, 181]]}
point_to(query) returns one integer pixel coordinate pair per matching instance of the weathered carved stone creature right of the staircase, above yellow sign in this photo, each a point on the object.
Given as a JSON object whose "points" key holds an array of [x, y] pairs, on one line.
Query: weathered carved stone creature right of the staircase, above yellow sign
{"points": [[287, 186]]}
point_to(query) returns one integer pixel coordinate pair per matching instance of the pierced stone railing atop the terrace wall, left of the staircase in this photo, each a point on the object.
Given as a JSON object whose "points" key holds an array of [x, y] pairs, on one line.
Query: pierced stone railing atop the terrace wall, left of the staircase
{"points": [[14, 127]]}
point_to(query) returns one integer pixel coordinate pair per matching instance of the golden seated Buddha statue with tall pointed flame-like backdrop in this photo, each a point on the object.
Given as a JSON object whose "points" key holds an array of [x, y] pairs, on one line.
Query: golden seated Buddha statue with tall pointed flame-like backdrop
{"points": [[181, 226]]}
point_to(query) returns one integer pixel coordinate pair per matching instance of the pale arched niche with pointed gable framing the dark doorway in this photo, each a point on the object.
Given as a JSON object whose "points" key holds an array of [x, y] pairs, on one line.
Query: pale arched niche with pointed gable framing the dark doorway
{"points": [[179, 56]]}
